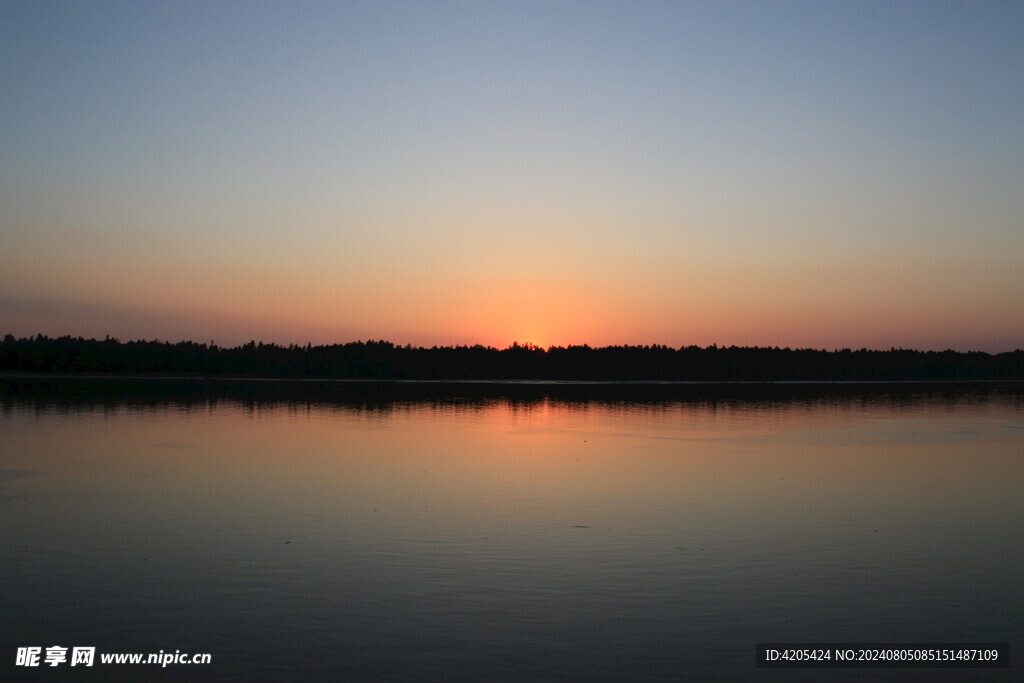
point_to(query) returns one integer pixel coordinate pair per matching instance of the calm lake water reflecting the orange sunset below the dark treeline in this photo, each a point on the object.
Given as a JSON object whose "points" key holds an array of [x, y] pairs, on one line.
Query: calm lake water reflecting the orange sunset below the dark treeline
{"points": [[530, 538]]}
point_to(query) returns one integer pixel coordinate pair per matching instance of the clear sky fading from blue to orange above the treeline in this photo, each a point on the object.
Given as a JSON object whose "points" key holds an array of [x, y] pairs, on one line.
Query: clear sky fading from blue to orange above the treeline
{"points": [[804, 175]]}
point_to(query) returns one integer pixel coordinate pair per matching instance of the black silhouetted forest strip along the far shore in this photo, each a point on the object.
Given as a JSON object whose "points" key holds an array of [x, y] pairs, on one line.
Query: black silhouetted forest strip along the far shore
{"points": [[382, 360]]}
